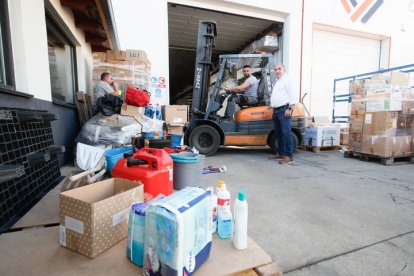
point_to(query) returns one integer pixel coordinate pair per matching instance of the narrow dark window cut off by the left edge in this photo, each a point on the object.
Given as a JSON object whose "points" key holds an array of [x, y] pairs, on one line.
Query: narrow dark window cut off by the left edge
{"points": [[6, 69]]}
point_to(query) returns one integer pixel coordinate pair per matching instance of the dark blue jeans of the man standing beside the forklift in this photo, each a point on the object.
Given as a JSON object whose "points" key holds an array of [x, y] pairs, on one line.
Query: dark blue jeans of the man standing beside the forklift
{"points": [[283, 132]]}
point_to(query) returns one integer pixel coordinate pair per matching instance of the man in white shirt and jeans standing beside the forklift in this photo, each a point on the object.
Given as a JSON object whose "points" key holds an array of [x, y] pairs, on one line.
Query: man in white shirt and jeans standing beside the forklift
{"points": [[282, 102]]}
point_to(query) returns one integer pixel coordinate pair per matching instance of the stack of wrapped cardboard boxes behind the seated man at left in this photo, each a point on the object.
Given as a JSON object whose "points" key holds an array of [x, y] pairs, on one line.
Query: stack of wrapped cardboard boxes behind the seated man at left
{"points": [[128, 68]]}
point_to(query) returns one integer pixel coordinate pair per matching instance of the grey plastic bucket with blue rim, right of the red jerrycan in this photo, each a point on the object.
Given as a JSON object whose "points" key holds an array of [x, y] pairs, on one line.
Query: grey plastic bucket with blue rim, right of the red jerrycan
{"points": [[188, 168]]}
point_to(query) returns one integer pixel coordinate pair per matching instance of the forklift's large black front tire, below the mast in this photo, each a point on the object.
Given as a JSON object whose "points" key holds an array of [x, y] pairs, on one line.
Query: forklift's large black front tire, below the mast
{"points": [[205, 139]]}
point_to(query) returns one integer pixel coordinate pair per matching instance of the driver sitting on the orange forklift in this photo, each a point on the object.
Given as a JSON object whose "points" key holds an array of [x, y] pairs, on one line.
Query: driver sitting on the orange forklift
{"points": [[248, 90]]}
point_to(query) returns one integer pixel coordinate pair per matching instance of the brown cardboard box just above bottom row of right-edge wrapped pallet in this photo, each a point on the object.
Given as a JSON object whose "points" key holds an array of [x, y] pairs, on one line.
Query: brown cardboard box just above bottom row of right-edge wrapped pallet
{"points": [[380, 123]]}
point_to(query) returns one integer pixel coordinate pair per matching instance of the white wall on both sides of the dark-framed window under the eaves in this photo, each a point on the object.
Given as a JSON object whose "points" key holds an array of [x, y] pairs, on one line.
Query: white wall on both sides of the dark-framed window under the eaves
{"points": [[29, 46]]}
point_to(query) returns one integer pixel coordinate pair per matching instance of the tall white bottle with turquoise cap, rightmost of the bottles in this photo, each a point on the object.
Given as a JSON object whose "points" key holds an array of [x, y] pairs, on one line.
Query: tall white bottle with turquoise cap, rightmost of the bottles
{"points": [[240, 221]]}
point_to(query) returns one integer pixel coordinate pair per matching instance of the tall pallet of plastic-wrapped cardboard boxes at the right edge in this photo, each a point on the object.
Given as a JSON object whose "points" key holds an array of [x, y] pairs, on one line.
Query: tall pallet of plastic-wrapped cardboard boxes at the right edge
{"points": [[382, 118]]}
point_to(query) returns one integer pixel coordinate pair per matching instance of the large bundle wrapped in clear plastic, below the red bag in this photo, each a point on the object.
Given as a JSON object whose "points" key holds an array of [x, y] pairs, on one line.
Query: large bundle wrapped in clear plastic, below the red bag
{"points": [[115, 130]]}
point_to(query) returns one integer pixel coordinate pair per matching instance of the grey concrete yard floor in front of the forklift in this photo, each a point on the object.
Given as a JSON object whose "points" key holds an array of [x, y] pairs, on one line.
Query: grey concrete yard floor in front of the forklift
{"points": [[325, 214]]}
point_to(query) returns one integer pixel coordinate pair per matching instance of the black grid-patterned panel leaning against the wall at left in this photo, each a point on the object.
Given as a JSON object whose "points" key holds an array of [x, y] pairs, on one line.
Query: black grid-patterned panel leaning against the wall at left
{"points": [[28, 168]]}
